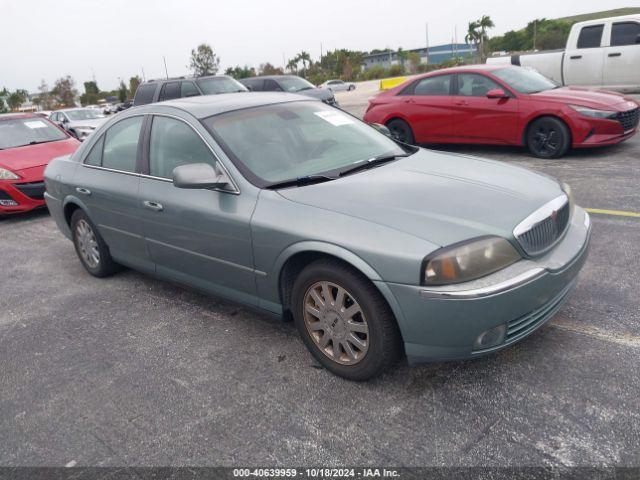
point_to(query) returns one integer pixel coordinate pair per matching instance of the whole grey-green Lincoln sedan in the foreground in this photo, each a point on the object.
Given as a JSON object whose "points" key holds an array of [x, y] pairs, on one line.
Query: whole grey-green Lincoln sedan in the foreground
{"points": [[296, 208]]}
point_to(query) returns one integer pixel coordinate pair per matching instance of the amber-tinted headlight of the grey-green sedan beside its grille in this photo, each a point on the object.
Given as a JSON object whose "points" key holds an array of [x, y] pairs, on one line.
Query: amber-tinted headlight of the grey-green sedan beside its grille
{"points": [[468, 261]]}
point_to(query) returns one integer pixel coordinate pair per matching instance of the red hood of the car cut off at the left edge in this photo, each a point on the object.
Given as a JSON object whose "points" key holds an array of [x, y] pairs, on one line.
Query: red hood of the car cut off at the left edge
{"points": [[30, 156]]}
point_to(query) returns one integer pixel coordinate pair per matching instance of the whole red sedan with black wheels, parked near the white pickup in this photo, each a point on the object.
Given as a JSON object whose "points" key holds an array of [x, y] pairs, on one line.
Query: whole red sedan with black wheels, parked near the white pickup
{"points": [[500, 105]]}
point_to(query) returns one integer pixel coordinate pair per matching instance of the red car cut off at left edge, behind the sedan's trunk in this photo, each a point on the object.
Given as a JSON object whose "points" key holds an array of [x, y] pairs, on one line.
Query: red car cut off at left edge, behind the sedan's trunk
{"points": [[28, 143]]}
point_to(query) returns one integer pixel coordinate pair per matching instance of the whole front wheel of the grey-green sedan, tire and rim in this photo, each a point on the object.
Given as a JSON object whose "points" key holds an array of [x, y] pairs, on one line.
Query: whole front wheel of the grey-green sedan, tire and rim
{"points": [[344, 321]]}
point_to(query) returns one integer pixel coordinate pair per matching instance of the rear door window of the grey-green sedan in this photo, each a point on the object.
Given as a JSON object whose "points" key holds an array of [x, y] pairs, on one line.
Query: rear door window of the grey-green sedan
{"points": [[121, 145]]}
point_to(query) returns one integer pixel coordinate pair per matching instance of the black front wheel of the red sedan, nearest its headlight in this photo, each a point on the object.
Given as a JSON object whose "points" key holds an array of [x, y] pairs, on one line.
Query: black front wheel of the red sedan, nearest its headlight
{"points": [[548, 137]]}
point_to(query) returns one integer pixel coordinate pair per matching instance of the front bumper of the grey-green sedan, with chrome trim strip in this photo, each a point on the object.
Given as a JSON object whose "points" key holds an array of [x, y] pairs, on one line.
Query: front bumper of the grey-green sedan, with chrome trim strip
{"points": [[444, 323]]}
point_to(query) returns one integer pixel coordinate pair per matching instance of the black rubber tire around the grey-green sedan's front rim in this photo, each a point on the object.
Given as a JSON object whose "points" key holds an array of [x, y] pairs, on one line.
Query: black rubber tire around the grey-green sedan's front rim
{"points": [[384, 345]]}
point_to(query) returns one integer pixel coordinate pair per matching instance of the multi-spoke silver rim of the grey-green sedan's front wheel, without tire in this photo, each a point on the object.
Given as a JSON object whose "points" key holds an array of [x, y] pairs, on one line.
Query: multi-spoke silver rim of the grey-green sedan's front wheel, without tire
{"points": [[336, 323]]}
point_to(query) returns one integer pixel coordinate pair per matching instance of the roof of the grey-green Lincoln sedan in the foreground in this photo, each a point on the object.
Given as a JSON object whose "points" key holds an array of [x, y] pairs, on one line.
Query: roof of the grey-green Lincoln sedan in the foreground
{"points": [[207, 105]]}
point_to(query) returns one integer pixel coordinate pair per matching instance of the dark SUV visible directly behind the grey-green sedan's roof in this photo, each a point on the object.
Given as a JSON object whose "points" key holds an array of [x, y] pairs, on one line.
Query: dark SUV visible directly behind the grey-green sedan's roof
{"points": [[169, 89]]}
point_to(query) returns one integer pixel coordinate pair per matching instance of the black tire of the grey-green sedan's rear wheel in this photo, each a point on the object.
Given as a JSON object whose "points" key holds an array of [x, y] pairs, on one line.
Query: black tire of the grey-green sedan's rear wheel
{"points": [[105, 265]]}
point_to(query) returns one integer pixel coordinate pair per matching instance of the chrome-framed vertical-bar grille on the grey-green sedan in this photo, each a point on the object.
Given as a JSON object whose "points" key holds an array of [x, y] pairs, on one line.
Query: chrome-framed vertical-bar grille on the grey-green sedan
{"points": [[541, 230]]}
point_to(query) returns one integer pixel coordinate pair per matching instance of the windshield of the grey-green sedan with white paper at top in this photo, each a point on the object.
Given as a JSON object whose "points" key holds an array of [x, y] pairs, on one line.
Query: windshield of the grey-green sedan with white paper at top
{"points": [[275, 143]]}
